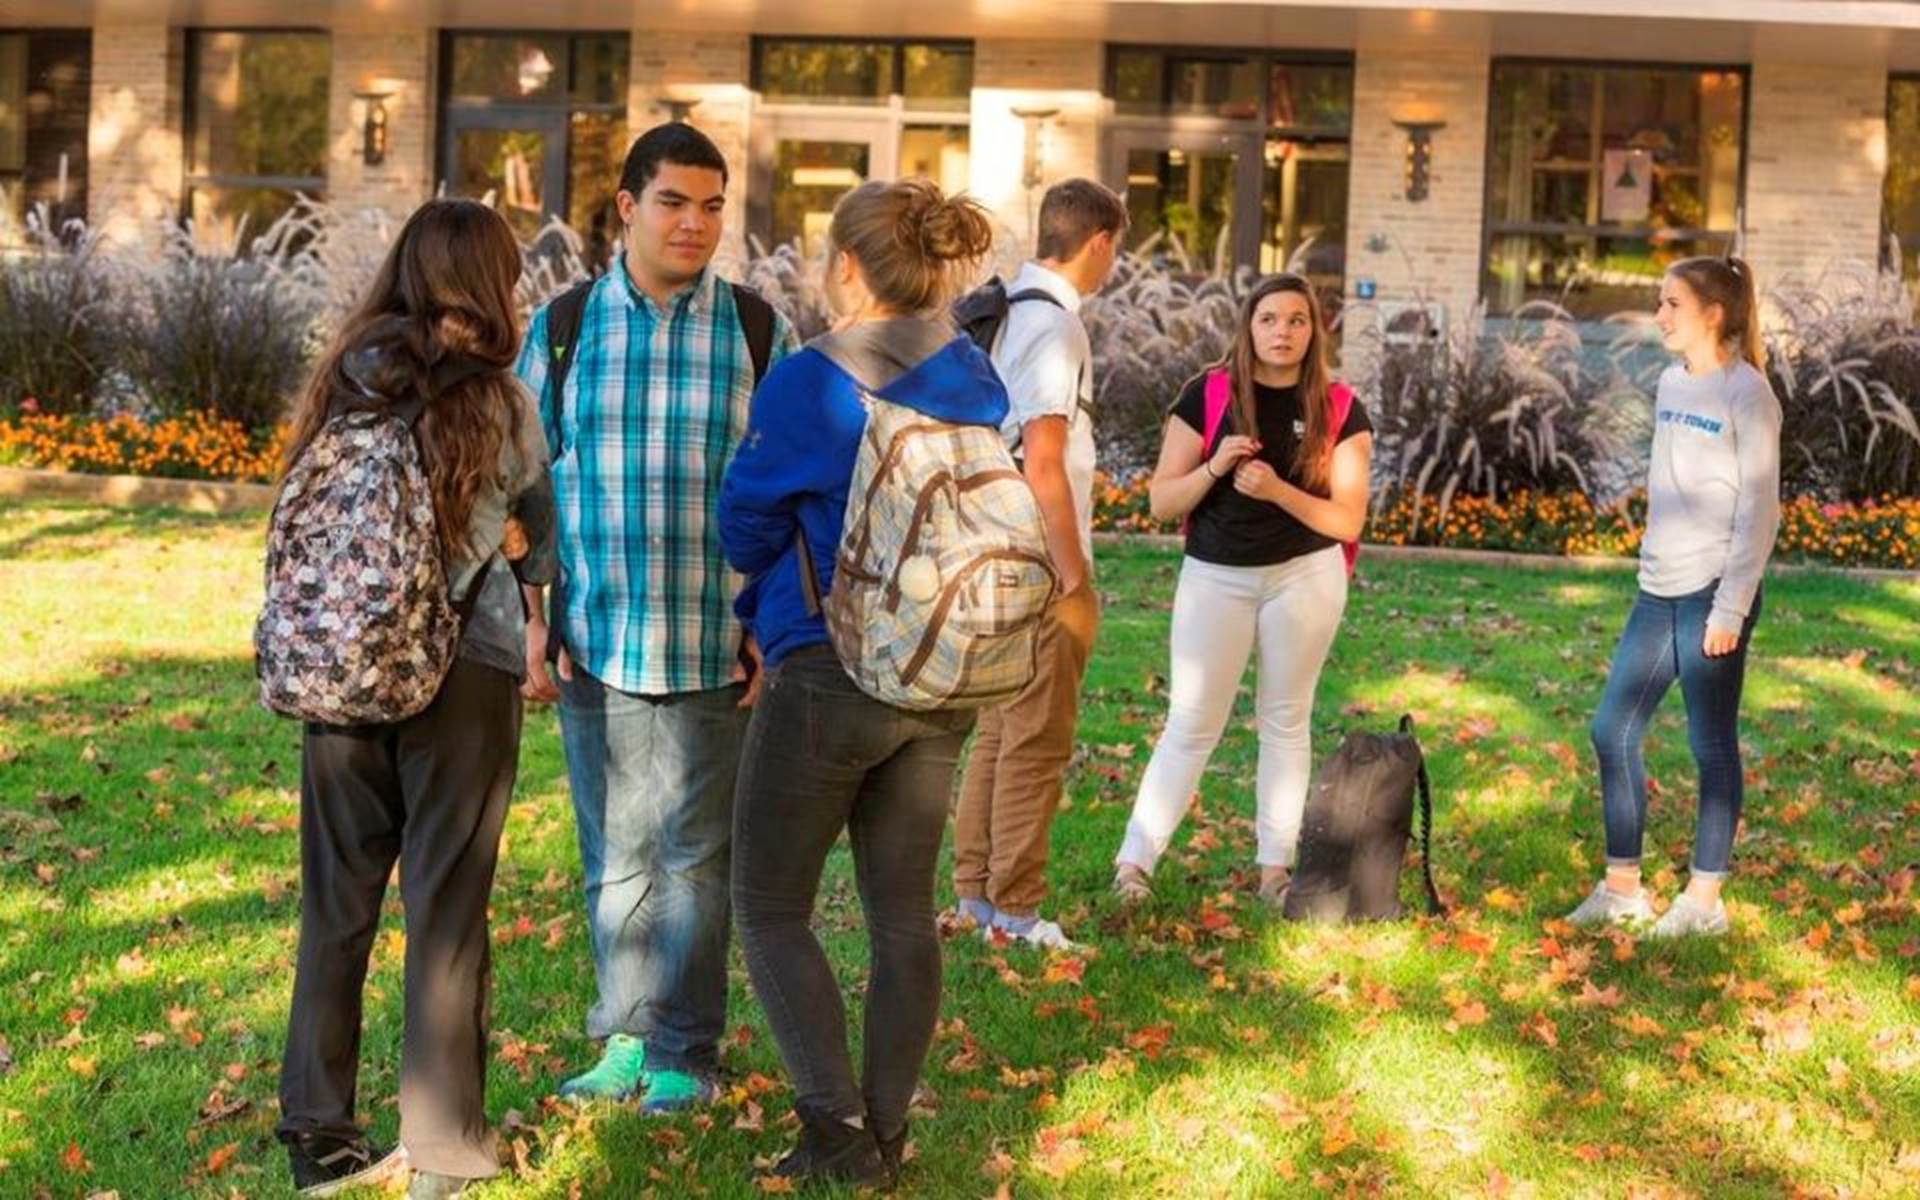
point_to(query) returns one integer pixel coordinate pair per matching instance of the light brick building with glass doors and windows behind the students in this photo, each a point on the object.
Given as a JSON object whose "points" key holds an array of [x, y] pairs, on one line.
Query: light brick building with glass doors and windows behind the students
{"points": [[1500, 151]]}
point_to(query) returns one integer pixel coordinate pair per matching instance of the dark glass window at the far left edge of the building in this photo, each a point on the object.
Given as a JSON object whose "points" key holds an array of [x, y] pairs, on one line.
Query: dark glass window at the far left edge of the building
{"points": [[43, 128]]}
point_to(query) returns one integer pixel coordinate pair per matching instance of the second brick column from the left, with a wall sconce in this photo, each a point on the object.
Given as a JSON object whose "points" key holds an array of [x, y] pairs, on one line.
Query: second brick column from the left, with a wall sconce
{"points": [[400, 64]]}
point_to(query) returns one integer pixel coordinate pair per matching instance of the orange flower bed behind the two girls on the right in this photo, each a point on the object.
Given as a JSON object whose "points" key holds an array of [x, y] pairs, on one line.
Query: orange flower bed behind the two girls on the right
{"points": [[1884, 533]]}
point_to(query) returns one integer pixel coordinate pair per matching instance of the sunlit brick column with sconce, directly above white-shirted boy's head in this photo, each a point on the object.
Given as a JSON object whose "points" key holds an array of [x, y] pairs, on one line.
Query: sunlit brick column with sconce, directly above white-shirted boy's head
{"points": [[1030, 74]]}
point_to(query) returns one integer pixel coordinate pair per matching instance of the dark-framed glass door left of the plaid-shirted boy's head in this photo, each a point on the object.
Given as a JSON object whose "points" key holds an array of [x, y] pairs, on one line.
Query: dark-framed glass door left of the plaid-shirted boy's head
{"points": [[512, 158]]}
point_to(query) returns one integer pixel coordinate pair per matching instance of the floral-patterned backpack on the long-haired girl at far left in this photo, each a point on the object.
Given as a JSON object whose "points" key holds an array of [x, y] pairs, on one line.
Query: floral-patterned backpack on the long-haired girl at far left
{"points": [[358, 627]]}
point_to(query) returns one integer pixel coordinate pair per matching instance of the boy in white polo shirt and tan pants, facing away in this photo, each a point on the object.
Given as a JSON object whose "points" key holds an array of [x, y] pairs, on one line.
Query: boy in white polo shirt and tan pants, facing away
{"points": [[1020, 752]]}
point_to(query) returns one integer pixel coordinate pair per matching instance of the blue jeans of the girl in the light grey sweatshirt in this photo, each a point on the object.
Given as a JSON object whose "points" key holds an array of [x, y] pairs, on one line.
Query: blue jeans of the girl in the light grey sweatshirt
{"points": [[1664, 644]]}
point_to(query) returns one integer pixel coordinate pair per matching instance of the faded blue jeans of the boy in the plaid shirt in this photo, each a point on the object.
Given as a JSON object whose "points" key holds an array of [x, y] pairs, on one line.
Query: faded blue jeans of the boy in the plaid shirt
{"points": [[654, 804]]}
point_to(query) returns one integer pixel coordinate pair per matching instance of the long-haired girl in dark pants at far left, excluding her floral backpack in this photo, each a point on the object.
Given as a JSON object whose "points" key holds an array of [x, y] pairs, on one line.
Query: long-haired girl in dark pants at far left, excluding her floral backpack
{"points": [[435, 339]]}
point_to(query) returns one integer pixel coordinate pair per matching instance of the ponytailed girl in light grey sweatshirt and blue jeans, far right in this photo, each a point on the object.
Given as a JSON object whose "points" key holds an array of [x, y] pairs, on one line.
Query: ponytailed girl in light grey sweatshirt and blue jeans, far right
{"points": [[1714, 510]]}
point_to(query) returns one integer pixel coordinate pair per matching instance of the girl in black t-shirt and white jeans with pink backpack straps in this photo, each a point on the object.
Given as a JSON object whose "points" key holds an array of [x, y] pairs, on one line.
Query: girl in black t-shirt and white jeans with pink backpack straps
{"points": [[1272, 477]]}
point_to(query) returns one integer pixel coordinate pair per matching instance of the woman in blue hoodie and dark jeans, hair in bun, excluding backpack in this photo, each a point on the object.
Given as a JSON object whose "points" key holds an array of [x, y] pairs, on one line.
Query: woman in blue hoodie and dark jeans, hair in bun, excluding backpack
{"points": [[823, 756]]}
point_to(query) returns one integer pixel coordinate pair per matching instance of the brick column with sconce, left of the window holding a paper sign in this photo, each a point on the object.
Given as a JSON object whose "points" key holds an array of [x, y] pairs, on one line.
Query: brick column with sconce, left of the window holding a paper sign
{"points": [[1429, 249]]}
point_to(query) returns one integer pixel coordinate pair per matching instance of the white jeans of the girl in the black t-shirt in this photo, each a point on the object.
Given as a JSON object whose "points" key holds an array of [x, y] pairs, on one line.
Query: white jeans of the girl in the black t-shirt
{"points": [[1293, 612]]}
